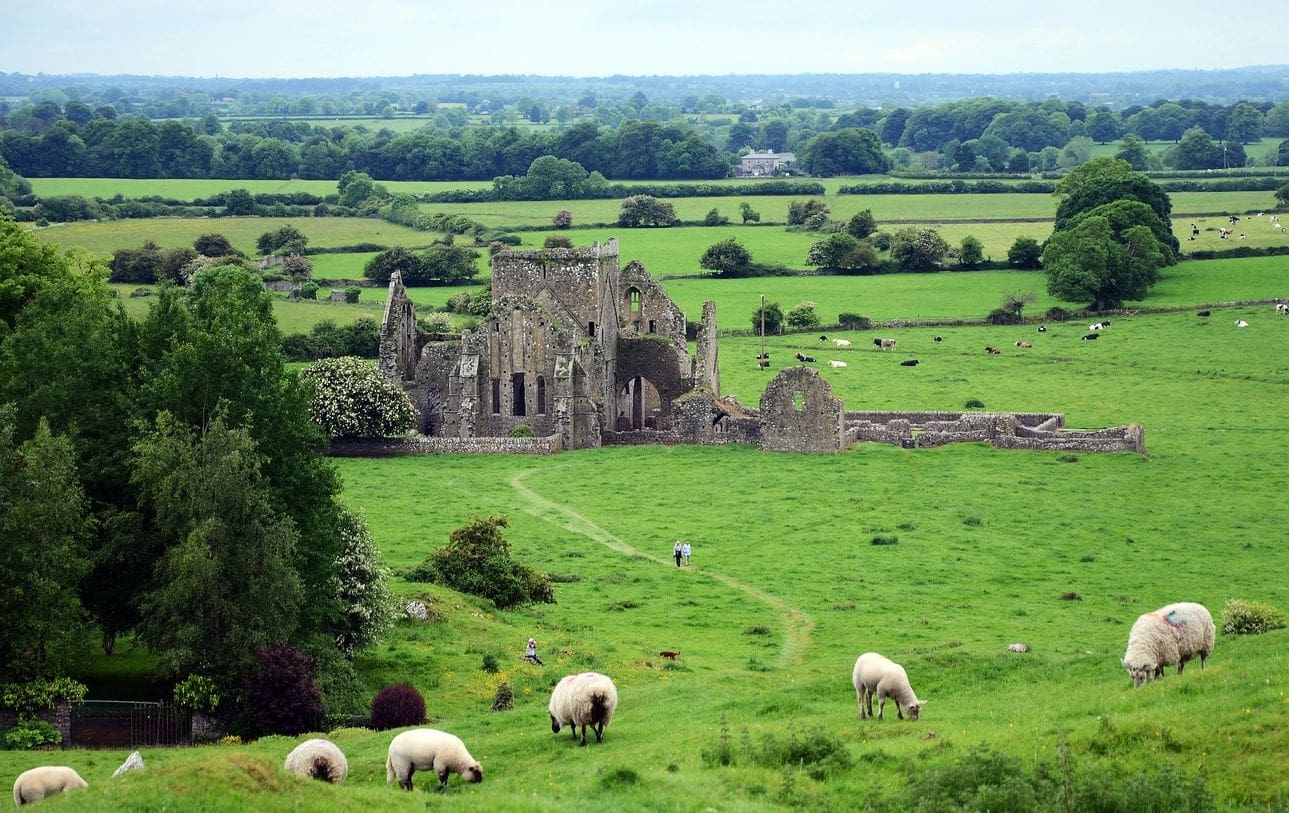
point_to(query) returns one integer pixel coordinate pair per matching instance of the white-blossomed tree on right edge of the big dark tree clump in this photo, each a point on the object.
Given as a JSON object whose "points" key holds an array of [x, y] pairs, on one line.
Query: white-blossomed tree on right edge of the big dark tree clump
{"points": [[363, 588]]}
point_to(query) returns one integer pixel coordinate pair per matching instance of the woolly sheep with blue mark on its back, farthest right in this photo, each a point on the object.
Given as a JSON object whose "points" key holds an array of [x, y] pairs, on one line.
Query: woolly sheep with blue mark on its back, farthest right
{"points": [[1172, 635]]}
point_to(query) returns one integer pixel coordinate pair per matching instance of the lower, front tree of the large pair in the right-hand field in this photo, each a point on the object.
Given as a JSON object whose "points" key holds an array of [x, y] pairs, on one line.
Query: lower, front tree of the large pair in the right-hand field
{"points": [[1087, 263]]}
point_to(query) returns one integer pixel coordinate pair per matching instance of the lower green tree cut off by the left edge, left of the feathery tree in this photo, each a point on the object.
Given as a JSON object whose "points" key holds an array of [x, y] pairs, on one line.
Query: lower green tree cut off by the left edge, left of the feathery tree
{"points": [[44, 529]]}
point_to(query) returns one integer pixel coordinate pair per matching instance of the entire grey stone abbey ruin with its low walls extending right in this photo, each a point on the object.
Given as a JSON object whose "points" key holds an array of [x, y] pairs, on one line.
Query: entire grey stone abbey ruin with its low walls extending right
{"points": [[587, 354]]}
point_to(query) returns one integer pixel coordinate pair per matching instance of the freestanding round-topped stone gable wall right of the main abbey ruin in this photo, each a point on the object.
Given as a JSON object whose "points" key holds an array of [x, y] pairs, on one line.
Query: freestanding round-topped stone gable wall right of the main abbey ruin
{"points": [[800, 413]]}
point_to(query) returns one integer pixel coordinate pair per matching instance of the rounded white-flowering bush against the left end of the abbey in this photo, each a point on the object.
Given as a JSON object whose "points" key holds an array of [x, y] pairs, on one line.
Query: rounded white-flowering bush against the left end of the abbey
{"points": [[351, 400]]}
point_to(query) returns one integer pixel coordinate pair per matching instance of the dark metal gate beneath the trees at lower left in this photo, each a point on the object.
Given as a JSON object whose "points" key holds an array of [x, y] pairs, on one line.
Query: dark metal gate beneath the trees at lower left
{"points": [[128, 725]]}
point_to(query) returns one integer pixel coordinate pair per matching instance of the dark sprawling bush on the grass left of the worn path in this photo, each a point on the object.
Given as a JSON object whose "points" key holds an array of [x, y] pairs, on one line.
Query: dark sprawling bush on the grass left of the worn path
{"points": [[478, 561]]}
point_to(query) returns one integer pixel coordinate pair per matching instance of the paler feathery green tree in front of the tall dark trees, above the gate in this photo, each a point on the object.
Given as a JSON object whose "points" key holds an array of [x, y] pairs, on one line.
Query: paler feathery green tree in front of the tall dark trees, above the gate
{"points": [[225, 584]]}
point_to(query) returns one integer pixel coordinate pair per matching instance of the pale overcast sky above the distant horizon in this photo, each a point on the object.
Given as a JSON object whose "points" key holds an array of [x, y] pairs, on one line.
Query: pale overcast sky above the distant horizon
{"points": [[600, 38]]}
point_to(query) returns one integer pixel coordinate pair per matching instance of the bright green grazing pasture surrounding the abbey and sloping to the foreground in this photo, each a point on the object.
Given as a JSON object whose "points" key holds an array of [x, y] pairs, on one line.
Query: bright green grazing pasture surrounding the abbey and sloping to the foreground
{"points": [[787, 589]]}
